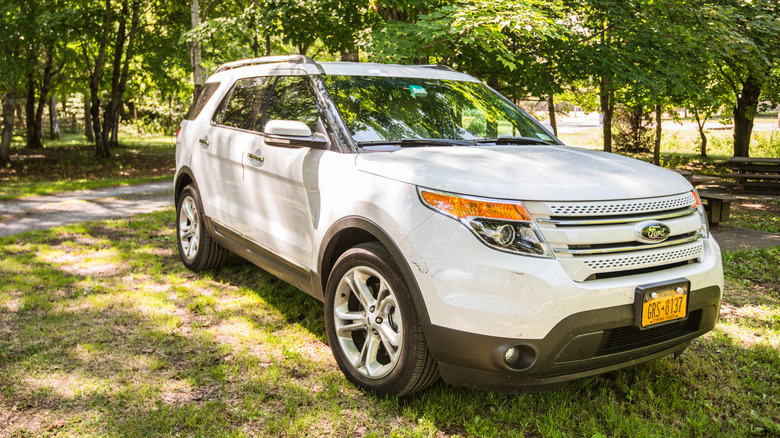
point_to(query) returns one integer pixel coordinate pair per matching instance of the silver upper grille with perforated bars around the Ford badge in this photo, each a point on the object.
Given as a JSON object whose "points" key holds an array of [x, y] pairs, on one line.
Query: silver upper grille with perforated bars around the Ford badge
{"points": [[592, 239]]}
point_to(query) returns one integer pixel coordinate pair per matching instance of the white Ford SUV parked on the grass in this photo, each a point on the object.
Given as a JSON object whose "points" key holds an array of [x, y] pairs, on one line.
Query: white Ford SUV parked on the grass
{"points": [[448, 233]]}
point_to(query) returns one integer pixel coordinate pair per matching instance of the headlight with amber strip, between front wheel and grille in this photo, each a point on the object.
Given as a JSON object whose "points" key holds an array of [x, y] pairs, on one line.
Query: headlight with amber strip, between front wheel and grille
{"points": [[502, 225]]}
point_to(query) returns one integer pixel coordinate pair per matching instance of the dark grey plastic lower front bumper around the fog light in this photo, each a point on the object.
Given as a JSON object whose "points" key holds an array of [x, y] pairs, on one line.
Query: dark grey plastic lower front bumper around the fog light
{"points": [[581, 345]]}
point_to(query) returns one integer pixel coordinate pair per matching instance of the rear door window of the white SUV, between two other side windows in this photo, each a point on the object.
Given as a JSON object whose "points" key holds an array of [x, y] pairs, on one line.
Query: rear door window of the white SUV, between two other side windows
{"points": [[244, 107]]}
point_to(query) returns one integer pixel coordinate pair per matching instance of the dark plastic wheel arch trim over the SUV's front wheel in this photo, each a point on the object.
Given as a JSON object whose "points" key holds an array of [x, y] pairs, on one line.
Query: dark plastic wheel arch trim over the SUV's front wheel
{"points": [[351, 231]]}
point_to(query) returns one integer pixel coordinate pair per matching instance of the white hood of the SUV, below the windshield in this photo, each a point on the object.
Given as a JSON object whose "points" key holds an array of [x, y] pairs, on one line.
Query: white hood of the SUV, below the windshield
{"points": [[533, 173]]}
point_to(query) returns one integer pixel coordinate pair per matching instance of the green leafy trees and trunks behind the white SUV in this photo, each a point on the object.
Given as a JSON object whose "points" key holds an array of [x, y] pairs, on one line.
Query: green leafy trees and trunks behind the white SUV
{"points": [[111, 67]]}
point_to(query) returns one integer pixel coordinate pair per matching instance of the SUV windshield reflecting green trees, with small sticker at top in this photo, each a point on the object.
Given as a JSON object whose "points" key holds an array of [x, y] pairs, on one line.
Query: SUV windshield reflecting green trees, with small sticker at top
{"points": [[389, 109]]}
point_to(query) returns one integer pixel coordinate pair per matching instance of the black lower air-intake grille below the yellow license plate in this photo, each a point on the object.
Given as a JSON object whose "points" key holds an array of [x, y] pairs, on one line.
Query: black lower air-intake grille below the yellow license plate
{"points": [[628, 338]]}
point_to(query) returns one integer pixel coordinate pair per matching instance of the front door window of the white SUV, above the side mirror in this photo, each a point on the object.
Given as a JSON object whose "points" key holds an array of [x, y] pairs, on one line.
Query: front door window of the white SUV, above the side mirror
{"points": [[293, 99]]}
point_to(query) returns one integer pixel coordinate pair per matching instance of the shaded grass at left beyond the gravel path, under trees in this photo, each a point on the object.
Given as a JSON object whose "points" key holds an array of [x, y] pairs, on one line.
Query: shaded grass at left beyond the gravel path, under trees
{"points": [[69, 164]]}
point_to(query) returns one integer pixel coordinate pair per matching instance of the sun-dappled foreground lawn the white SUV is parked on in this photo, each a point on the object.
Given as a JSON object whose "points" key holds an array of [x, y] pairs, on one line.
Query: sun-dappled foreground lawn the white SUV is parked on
{"points": [[104, 333]]}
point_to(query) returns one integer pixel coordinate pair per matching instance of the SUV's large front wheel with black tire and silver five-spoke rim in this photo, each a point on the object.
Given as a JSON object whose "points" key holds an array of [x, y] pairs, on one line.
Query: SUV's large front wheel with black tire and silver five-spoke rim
{"points": [[372, 324]]}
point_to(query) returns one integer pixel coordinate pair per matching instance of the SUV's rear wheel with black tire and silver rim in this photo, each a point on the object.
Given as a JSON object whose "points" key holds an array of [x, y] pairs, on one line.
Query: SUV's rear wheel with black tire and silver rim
{"points": [[198, 251]]}
